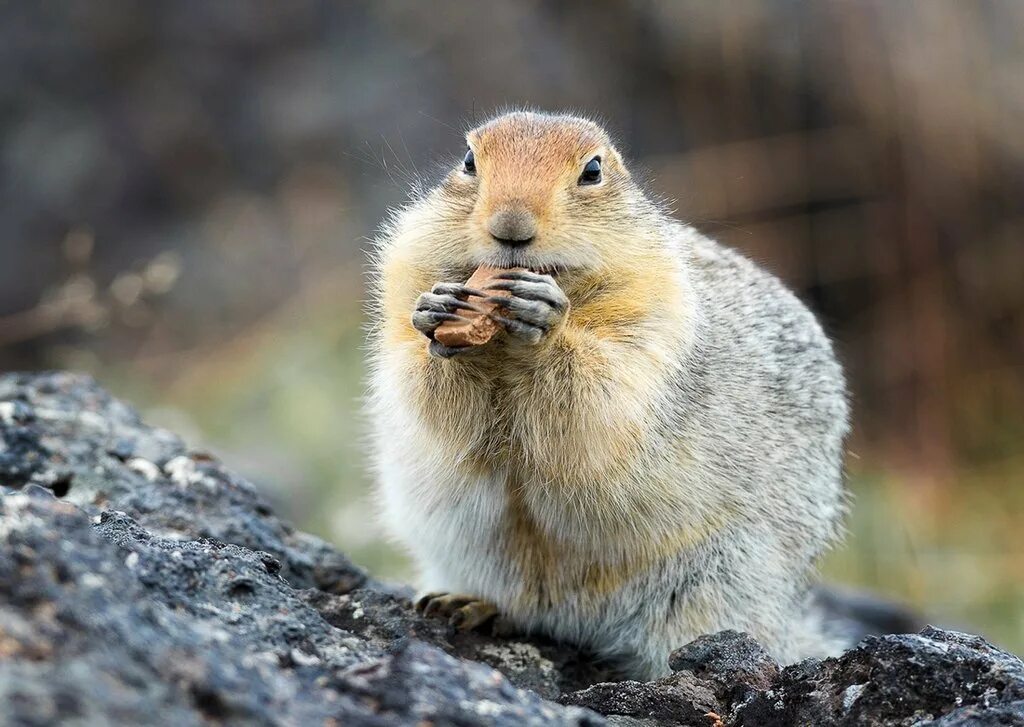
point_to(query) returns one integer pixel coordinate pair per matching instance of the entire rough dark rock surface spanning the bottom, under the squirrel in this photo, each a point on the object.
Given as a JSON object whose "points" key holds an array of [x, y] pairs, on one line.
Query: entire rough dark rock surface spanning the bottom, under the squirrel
{"points": [[145, 584]]}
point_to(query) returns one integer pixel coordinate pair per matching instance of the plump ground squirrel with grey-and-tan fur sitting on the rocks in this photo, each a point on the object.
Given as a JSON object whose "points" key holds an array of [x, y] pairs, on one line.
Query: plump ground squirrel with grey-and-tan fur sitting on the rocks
{"points": [[652, 448]]}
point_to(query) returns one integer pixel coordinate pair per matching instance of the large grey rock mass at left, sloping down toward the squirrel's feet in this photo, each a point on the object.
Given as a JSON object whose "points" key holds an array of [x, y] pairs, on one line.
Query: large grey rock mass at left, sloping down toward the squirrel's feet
{"points": [[168, 593]]}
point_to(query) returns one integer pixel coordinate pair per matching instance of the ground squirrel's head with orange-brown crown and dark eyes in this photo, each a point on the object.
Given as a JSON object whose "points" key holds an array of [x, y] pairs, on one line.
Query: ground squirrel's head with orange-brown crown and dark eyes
{"points": [[549, 193]]}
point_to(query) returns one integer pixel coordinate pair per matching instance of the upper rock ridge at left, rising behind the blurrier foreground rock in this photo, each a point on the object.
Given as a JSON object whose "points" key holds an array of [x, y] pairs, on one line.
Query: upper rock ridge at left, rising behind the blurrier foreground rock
{"points": [[65, 434]]}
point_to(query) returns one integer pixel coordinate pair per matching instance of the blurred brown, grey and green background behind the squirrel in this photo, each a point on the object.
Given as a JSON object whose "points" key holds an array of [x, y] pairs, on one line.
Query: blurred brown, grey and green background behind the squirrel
{"points": [[189, 189]]}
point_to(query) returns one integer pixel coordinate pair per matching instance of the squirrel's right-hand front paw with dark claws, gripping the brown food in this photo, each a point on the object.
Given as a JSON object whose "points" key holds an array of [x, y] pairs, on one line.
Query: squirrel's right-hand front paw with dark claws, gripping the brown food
{"points": [[535, 307]]}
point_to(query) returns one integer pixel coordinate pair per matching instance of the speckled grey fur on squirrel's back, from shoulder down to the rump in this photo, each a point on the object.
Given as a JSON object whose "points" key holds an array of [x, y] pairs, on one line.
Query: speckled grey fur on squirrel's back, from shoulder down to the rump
{"points": [[762, 399]]}
